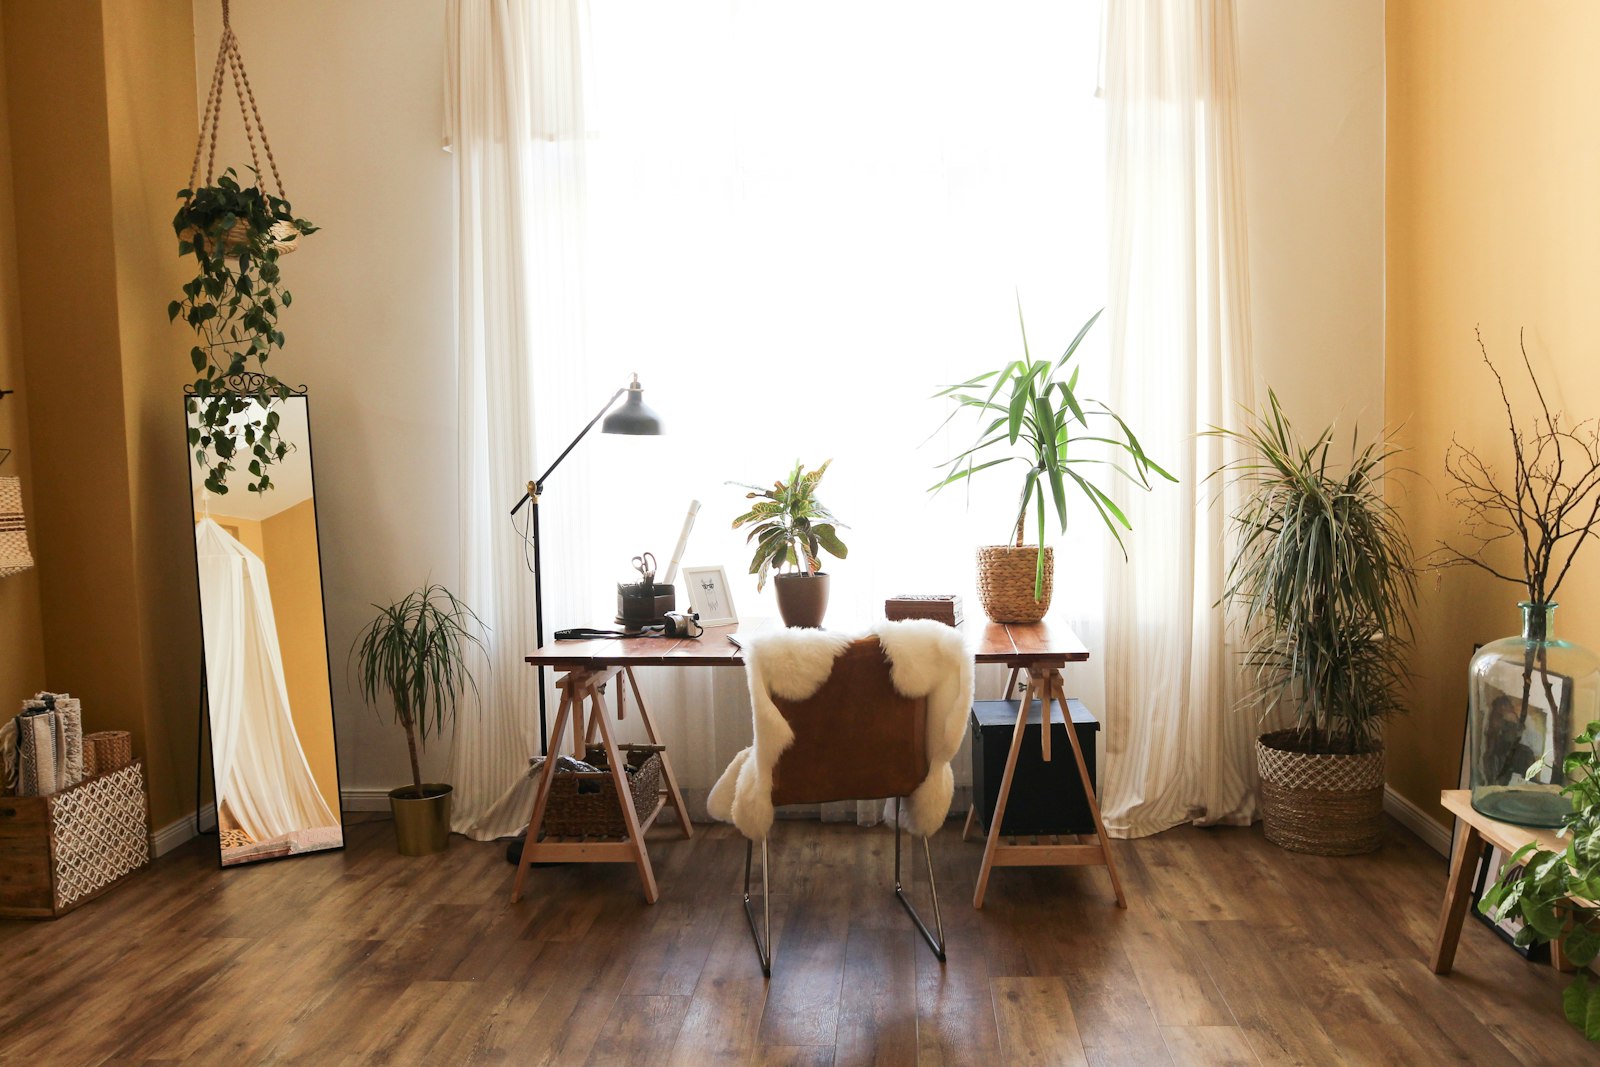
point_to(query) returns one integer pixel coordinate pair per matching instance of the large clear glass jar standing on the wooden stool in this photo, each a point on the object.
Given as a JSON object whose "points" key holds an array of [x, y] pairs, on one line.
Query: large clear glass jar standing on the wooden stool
{"points": [[1529, 698]]}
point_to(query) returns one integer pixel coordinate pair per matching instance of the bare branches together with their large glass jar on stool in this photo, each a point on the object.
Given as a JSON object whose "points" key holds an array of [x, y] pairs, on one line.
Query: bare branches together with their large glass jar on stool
{"points": [[1529, 695]]}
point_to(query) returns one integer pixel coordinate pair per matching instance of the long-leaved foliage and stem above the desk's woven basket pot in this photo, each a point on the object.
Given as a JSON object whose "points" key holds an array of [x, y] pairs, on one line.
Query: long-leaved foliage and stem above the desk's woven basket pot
{"points": [[1030, 412]]}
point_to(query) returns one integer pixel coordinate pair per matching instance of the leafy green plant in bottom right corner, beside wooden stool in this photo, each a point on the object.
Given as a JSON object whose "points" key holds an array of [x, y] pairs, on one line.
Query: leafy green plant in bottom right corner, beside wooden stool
{"points": [[1545, 889]]}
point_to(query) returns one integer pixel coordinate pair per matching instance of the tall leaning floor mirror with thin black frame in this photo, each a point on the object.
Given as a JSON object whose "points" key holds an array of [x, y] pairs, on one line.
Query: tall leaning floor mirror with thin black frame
{"points": [[266, 649]]}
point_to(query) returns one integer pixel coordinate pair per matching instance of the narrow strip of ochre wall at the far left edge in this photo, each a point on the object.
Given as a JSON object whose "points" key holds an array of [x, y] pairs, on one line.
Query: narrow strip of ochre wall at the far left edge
{"points": [[22, 645]]}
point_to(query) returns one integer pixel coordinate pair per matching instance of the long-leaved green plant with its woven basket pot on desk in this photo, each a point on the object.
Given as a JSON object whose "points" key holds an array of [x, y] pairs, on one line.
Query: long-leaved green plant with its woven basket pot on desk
{"points": [[1031, 414]]}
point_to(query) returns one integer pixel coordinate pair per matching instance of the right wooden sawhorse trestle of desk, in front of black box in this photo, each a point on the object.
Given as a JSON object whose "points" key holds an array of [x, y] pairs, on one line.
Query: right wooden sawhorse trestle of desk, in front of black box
{"points": [[1044, 685]]}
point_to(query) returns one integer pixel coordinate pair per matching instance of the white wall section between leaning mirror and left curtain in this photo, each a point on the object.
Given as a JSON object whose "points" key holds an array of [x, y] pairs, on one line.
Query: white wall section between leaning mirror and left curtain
{"points": [[353, 100]]}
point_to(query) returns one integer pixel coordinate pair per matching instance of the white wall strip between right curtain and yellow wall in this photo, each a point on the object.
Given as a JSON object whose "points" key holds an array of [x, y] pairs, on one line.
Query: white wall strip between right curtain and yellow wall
{"points": [[1313, 113]]}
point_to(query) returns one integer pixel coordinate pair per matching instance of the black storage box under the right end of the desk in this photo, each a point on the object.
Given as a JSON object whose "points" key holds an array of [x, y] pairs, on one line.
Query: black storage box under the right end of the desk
{"points": [[1046, 797]]}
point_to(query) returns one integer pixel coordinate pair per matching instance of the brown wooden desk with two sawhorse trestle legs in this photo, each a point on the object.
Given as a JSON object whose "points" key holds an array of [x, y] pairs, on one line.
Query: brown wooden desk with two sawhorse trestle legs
{"points": [[588, 668]]}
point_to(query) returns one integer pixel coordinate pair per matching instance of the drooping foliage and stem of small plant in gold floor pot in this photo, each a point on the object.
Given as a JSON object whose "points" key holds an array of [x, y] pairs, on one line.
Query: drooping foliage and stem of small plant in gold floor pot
{"points": [[417, 652]]}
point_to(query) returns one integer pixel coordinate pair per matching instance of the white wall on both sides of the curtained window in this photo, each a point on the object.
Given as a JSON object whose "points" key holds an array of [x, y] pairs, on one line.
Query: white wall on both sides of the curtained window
{"points": [[353, 98]]}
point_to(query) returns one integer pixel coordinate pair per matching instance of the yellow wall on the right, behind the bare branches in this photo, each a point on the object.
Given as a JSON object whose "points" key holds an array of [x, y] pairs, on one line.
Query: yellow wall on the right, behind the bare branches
{"points": [[1494, 220]]}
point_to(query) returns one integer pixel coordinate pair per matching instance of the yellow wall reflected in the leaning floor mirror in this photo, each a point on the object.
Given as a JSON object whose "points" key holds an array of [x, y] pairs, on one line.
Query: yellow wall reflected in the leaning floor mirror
{"points": [[295, 575]]}
